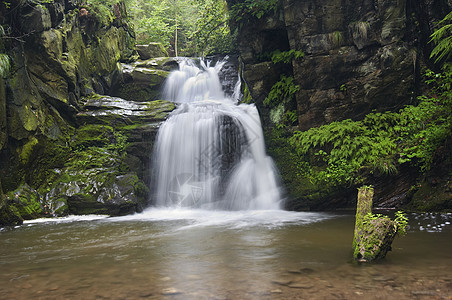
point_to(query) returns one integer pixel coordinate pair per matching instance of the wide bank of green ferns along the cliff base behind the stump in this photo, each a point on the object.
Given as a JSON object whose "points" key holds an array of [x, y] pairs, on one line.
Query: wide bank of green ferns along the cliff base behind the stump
{"points": [[345, 152]]}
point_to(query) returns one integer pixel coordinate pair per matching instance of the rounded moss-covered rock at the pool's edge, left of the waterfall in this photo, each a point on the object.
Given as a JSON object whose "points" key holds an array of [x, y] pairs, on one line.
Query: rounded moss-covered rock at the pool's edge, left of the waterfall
{"points": [[96, 181]]}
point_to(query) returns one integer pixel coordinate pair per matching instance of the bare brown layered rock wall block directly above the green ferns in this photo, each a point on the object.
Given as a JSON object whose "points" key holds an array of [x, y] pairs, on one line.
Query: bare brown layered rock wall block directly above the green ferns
{"points": [[356, 59]]}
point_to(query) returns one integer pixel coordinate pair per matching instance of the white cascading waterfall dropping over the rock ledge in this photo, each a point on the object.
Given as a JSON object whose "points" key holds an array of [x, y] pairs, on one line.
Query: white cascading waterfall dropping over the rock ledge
{"points": [[210, 153]]}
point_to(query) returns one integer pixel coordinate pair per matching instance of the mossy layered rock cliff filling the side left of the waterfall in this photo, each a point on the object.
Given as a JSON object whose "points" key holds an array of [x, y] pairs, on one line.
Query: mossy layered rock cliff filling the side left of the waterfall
{"points": [[63, 148]]}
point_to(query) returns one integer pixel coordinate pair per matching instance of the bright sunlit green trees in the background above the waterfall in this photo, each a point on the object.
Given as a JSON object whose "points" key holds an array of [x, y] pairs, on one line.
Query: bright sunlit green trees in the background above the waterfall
{"points": [[192, 27]]}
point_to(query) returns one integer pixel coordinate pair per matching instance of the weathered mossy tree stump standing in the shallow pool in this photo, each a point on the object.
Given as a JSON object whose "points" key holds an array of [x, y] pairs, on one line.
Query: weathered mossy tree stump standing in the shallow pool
{"points": [[373, 233]]}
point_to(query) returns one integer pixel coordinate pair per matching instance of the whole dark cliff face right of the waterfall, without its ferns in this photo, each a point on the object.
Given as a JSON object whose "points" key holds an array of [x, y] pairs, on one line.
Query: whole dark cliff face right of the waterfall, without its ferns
{"points": [[360, 56]]}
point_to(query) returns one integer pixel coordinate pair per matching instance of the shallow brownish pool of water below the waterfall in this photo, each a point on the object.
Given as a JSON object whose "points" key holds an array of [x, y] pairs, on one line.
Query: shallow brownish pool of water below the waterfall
{"points": [[196, 254]]}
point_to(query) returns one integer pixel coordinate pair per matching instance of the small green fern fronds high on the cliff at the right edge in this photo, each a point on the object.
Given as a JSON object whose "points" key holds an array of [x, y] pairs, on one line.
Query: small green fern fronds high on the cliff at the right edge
{"points": [[442, 37]]}
